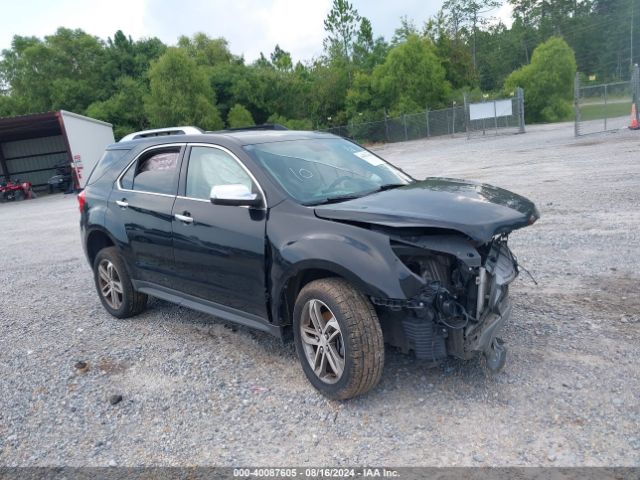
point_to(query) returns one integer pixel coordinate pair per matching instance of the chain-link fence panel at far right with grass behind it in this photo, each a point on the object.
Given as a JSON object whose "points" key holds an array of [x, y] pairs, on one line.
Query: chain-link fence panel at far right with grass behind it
{"points": [[605, 107]]}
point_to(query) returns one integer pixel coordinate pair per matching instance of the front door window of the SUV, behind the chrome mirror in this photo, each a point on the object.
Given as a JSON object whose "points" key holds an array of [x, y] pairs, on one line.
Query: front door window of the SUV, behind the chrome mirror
{"points": [[209, 167]]}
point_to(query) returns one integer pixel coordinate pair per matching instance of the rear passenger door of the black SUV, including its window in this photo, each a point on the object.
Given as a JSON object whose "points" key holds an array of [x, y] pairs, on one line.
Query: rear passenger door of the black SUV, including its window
{"points": [[142, 202]]}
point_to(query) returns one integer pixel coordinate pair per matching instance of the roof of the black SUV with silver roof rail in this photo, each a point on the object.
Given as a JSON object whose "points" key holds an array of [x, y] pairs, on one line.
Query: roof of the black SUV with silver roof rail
{"points": [[239, 137]]}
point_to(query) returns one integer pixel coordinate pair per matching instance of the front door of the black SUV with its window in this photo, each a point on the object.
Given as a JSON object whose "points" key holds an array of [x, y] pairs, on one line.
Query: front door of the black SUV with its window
{"points": [[219, 250]]}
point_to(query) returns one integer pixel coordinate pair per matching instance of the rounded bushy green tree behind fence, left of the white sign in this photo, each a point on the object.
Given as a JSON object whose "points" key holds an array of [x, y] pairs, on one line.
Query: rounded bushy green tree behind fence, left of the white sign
{"points": [[411, 78]]}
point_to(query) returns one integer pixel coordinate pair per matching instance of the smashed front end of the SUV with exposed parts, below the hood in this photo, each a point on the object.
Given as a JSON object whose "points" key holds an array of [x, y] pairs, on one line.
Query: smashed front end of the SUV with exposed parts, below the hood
{"points": [[463, 303]]}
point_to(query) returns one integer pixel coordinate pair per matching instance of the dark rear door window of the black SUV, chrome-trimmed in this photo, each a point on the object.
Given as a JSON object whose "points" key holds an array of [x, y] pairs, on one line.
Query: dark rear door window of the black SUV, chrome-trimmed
{"points": [[154, 172]]}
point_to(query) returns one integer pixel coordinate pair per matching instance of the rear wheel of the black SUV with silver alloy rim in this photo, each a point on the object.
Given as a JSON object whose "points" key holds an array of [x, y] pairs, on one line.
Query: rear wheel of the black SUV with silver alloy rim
{"points": [[114, 285]]}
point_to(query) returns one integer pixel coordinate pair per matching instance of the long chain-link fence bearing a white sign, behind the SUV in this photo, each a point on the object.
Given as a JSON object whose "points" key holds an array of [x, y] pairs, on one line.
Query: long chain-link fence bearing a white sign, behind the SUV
{"points": [[487, 117]]}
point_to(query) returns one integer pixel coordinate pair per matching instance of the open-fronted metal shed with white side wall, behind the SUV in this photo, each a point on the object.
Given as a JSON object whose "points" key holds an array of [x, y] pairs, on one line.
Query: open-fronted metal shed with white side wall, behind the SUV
{"points": [[36, 147]]}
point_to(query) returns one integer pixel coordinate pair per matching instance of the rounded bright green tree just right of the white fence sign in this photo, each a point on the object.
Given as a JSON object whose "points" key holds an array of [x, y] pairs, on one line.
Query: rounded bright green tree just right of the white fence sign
{"points": [[547, 81]]}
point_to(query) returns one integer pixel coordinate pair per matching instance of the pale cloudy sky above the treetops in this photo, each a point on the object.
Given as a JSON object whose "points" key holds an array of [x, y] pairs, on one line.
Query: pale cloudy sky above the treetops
{"points": [[250, 26]]}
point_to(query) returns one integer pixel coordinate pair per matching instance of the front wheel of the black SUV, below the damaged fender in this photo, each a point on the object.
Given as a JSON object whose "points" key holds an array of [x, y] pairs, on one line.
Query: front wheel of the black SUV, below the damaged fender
{"points": [[355, 358]]}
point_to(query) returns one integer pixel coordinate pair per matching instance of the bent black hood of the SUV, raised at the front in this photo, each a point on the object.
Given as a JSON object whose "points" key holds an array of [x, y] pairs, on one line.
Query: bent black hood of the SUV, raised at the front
{"points": [[477, 210]]}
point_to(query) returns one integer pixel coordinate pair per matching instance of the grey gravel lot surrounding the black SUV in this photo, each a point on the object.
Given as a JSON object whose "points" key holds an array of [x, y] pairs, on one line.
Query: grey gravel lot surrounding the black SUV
{"points": [[198, 392]]}
